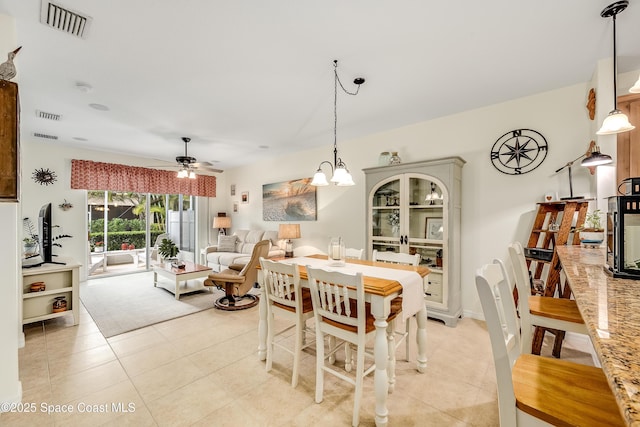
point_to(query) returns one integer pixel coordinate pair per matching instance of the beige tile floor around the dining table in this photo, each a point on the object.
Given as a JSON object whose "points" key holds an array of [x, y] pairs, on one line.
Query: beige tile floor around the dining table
{"points": [[202, 370]]}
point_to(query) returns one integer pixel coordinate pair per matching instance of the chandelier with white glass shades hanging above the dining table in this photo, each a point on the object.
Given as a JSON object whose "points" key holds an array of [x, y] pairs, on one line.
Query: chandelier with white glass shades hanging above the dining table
{"points": [[340, 173]]}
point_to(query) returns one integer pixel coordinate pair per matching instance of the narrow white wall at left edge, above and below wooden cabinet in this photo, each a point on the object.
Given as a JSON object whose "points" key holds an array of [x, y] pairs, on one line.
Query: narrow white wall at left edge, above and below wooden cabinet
{"points": [[10, 326]]}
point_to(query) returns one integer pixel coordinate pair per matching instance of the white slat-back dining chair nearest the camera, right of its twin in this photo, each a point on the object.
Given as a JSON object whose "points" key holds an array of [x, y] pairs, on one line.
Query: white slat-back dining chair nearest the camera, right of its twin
{"points": [[341, 311]]}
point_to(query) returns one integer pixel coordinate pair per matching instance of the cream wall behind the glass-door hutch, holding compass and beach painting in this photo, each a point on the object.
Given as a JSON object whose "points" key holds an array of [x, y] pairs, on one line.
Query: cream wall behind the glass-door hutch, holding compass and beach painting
{"points": [[497, 208]]}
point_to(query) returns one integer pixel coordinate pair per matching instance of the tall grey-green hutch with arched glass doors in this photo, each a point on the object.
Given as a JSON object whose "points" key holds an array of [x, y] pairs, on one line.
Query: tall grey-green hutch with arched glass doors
{"points": [[415, 208]]}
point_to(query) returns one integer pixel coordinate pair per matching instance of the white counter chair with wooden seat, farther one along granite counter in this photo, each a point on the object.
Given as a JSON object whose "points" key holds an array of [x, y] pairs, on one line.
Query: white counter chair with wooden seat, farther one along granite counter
{"points": [[560, 314]]}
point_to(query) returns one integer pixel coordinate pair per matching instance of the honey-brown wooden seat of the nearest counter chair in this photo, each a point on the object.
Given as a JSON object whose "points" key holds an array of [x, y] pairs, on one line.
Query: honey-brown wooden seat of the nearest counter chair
{"points": [[564, 393]]}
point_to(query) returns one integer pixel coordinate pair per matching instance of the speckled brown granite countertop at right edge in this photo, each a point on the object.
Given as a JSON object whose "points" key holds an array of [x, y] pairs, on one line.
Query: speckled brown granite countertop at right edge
{"points": [[610, 307]]}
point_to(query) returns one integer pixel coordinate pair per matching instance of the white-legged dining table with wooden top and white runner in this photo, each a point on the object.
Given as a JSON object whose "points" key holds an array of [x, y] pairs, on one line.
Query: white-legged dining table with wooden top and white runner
{"points": [[382, 283]]}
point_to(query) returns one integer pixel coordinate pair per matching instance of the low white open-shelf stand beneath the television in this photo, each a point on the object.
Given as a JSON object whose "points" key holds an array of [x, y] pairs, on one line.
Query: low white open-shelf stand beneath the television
{"points": [[59, 281]]}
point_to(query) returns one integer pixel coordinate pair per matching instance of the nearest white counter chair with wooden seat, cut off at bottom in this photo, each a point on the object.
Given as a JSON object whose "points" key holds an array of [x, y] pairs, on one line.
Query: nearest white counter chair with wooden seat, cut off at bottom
{"points": [[537, 390]]}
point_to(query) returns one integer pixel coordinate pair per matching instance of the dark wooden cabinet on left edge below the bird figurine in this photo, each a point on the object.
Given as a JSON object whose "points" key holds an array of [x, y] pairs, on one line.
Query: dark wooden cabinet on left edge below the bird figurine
{"points": [[9, 160]]}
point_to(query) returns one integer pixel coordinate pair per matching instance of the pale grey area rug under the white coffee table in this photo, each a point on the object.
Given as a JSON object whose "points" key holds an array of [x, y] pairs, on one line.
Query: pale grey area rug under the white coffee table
{"points": [[124, 303]]}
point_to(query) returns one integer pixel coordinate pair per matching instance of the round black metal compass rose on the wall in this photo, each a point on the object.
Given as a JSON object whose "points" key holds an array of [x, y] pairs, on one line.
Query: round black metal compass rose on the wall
{"points": [[519, 151]]}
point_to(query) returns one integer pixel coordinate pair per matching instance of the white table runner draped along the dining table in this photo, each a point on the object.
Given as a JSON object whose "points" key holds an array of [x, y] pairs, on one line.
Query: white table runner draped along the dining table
{"points": [[412, 288]]}
